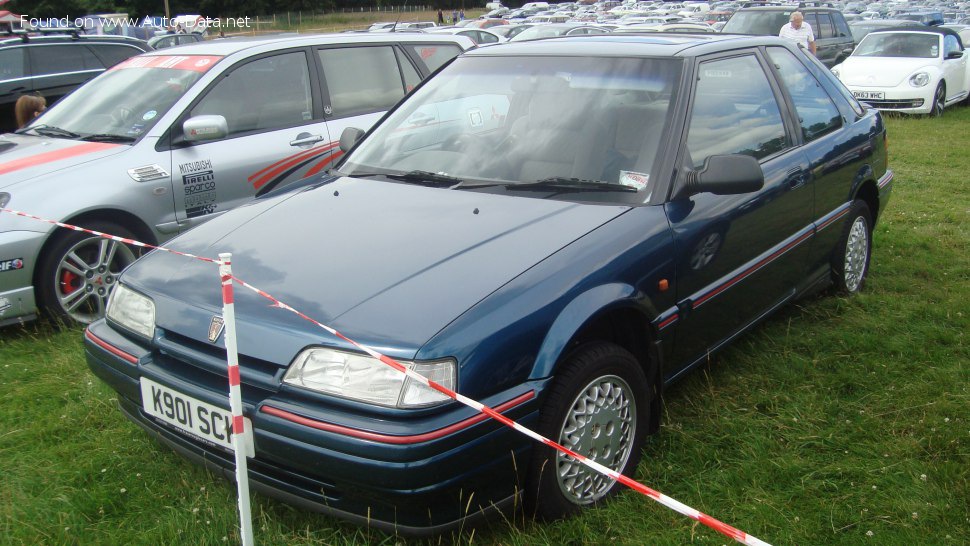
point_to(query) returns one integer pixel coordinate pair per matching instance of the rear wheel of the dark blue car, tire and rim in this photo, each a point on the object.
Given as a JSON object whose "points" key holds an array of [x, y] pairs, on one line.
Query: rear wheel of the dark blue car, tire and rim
{"points": [[850, 262]]}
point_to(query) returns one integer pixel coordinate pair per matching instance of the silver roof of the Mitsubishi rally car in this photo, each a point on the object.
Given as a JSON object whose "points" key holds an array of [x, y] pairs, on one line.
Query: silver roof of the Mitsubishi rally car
{"points": [[229, 46]]}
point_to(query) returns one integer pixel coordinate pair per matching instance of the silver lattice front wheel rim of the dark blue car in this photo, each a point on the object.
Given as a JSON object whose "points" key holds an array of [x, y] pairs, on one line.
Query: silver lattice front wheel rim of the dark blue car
{"points": [[600, 424]]}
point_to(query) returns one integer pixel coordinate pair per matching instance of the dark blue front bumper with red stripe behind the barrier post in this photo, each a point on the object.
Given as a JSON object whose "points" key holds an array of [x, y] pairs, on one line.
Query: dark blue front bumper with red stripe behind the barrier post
{"points": [[449, 469]]}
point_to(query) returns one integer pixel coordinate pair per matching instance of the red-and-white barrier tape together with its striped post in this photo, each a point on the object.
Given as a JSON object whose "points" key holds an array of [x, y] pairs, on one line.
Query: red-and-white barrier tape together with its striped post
{"points": [[675, 505]]}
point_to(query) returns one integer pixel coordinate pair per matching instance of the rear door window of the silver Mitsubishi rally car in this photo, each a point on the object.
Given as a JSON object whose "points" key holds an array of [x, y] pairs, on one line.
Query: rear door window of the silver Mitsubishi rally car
{"points": [[361, 79]]}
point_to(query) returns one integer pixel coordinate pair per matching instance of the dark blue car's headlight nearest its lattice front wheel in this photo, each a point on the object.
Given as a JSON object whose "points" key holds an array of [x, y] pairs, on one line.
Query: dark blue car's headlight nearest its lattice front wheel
{"points": [[360, 377]]}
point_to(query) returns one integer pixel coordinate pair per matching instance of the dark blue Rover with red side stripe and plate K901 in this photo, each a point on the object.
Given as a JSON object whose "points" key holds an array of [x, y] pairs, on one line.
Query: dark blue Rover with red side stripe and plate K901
{"points": [[556, 228]]}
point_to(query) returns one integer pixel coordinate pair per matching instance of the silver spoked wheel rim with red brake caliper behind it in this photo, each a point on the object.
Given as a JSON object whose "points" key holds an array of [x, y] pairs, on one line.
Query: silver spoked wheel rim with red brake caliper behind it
{"points": [[86, 274]]}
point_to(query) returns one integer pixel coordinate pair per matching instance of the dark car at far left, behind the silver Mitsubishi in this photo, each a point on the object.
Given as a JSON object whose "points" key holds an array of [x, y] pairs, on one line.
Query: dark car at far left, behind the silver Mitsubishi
{"points": [[55, 65]]}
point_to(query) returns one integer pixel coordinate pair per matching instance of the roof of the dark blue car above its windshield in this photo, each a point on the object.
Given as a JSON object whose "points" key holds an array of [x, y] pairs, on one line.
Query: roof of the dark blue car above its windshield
{"points": [[652, 44]]}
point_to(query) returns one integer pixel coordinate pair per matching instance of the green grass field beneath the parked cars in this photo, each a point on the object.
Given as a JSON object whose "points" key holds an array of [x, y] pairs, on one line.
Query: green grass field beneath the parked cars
{"points": [[839, 421]]}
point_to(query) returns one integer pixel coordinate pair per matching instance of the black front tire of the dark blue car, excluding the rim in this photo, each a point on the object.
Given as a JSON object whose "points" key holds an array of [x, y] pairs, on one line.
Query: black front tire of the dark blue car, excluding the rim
{"points": [[544, 499]]}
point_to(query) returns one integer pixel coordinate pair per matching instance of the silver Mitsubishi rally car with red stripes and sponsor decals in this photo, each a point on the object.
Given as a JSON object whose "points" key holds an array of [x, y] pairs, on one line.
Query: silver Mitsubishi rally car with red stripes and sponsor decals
{"points": [[166, 140]]}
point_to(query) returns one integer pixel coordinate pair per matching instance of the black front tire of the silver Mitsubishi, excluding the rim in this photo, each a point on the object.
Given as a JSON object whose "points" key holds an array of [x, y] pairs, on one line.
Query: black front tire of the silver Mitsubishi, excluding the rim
{"points": [[45, 290]]}
